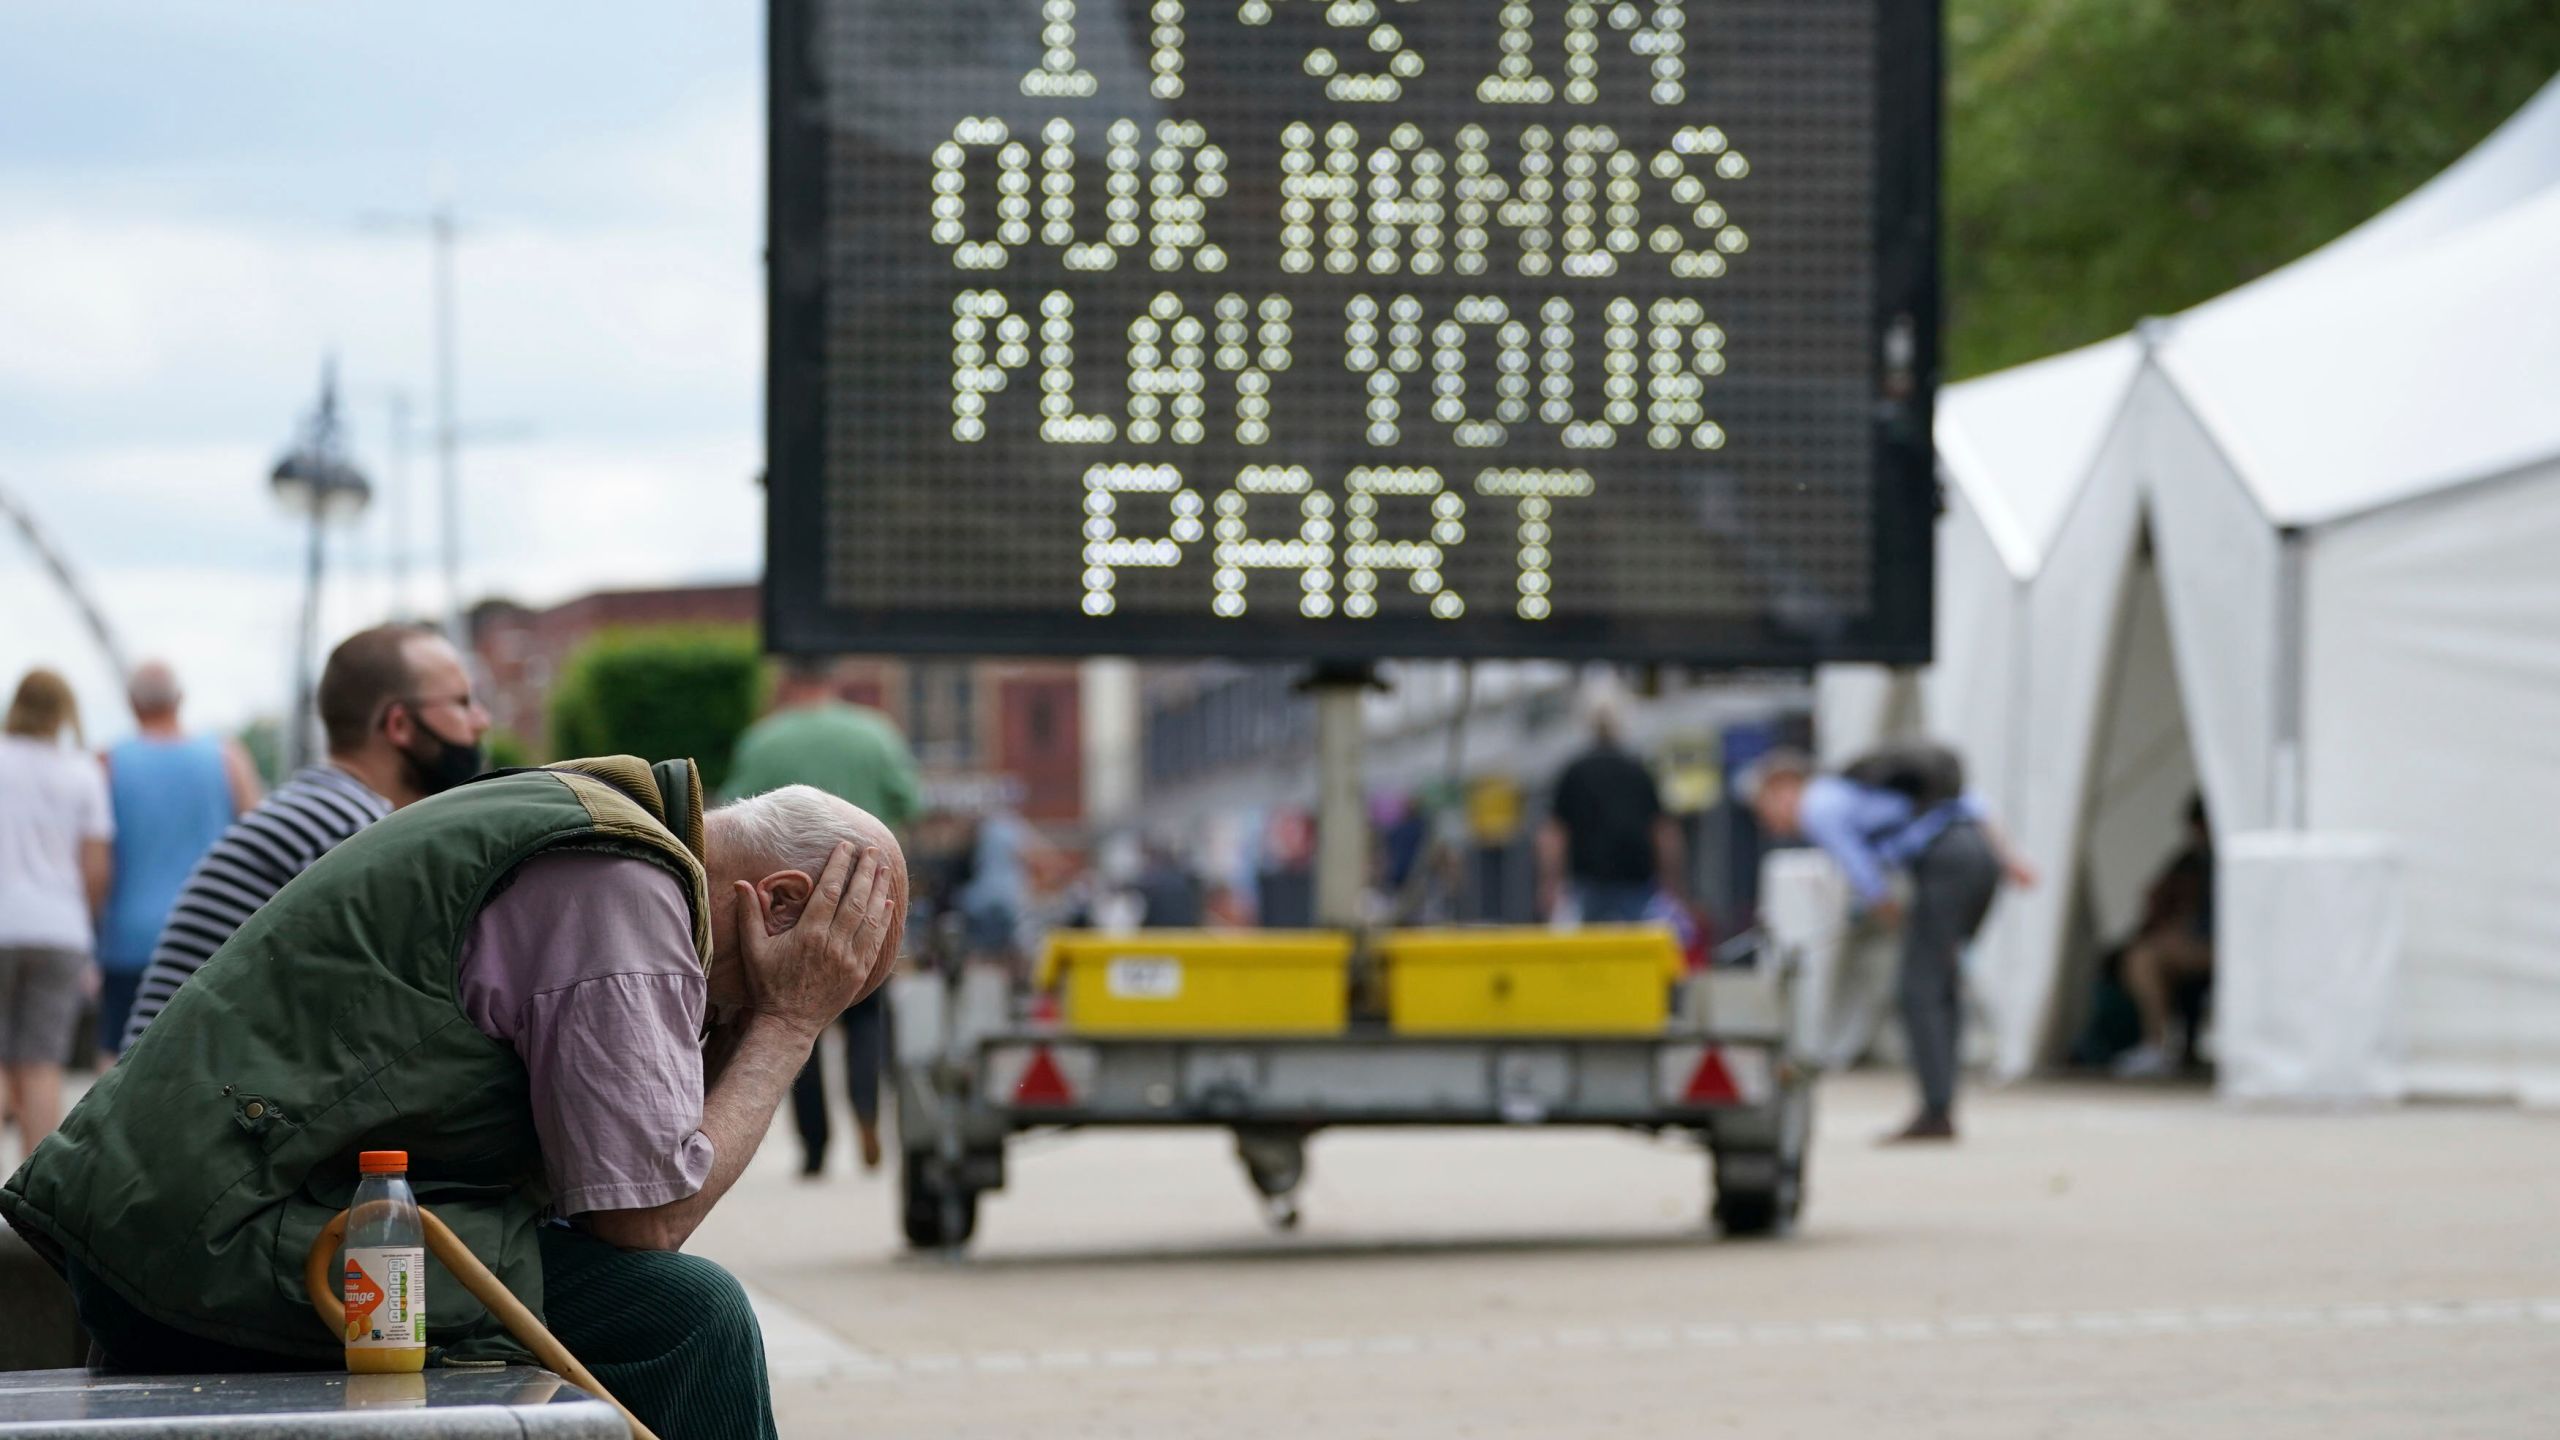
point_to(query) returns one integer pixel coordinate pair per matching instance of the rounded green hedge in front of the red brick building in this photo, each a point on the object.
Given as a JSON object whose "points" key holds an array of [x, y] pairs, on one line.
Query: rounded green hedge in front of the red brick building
{"points": [[662, 693]]}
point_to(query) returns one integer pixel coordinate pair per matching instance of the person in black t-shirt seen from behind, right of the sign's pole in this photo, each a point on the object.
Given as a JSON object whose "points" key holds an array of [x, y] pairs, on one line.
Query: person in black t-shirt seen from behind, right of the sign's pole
{"points": [[1609, 847]]}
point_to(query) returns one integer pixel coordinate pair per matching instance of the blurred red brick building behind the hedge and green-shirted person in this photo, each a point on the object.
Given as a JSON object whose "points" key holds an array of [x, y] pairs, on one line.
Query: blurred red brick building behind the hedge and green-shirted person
{"points": [[984, 732]]}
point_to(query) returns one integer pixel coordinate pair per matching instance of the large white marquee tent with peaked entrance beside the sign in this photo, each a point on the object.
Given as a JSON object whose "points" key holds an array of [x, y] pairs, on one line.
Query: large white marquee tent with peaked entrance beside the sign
{"points": [[2298, 550]]}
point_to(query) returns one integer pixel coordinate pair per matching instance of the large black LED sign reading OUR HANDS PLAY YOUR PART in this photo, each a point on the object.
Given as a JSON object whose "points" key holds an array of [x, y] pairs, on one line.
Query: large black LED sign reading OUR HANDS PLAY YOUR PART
{"points": [[1353, 327]]}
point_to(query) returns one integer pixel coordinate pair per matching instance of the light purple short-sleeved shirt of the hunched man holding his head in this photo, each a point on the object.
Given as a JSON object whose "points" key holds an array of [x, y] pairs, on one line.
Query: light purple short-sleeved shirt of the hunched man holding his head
{"points": [[585, 965]]}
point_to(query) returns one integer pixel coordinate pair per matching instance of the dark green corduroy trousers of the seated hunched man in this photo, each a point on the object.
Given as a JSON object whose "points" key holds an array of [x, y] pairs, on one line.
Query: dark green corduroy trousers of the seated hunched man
{"points": [[672, 1336]]}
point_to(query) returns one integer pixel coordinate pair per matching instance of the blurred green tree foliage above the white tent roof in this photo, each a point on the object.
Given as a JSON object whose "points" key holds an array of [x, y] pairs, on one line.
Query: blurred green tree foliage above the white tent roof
{"points": [[2113, 160]]}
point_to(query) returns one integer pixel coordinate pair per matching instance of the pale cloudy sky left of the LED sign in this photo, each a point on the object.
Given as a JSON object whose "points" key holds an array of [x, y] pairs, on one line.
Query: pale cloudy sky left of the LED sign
{"points": [[183, 199]]}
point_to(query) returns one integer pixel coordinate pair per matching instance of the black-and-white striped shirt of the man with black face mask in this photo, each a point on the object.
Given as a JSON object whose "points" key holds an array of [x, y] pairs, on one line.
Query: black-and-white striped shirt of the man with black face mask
{"points": [[303, 821]]}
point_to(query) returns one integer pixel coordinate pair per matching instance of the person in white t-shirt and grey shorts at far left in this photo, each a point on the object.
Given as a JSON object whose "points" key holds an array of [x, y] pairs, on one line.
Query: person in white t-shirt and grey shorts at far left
{"points": [[55, 855]]}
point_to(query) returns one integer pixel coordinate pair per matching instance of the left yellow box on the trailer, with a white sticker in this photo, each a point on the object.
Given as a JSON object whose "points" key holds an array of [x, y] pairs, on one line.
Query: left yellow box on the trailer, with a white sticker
{"points": [[1202, 983]]}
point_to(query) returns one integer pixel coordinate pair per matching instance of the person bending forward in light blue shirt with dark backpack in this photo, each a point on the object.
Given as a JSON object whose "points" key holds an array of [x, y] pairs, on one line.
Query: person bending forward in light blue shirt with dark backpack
{"points": [[1903, 808]]}
